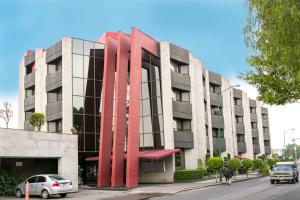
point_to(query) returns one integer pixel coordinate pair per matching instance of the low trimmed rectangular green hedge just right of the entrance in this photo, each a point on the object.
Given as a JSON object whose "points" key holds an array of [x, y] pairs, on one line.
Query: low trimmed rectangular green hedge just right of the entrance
{"points": [[189, 174]]}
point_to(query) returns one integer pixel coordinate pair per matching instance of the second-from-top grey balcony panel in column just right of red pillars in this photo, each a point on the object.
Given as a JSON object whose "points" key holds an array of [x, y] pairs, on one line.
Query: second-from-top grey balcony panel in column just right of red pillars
{"points": [[181, 81]]}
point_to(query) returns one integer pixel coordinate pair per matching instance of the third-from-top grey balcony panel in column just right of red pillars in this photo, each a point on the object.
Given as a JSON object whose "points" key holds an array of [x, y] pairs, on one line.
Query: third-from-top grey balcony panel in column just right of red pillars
{"points": [[182, 110]]}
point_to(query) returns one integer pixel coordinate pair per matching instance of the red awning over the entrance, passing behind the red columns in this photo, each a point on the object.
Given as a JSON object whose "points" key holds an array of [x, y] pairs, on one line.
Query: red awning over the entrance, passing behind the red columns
{"points": [[151, 154]]}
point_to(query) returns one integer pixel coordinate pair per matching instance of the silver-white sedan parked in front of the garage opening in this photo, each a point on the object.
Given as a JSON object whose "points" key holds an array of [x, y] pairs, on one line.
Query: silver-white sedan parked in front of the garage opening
{"points": [[45, 185]]}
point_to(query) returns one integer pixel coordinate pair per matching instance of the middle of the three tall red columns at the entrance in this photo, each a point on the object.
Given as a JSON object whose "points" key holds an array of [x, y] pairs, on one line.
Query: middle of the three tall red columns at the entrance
{"points": [[120, 110]]}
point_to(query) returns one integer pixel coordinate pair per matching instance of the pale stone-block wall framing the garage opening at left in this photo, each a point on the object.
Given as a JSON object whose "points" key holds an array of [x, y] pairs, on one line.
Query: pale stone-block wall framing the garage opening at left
{"points": [[16, 143]]}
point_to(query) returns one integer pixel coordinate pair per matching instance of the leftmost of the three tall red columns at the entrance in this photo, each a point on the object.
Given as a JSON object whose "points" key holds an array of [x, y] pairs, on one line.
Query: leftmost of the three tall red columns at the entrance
{"points": [[106, 113]]}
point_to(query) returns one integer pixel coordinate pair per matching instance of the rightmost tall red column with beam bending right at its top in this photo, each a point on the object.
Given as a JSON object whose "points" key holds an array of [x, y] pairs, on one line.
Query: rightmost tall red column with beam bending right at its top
{"points": [[138, 41]]}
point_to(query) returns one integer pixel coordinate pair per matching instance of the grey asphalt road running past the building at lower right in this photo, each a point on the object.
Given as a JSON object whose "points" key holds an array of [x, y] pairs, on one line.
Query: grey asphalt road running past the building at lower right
{"points": [[255, 189]]}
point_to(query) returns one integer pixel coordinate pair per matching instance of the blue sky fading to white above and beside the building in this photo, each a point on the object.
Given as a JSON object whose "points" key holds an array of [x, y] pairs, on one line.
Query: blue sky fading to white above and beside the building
{"points": [[210, 29]]}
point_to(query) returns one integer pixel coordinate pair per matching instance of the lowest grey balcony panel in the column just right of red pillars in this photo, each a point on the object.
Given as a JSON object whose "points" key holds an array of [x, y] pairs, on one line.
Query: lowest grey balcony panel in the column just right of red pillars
{"points": [[184, 139]]}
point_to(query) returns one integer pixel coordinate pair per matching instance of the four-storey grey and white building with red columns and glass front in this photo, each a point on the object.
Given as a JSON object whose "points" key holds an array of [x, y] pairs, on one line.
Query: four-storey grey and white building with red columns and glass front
{"points": [[152, 105]]}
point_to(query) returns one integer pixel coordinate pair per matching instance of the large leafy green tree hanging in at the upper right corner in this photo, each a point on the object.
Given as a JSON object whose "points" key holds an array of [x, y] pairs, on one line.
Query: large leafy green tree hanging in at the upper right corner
{"points": [[272, 33]]}
